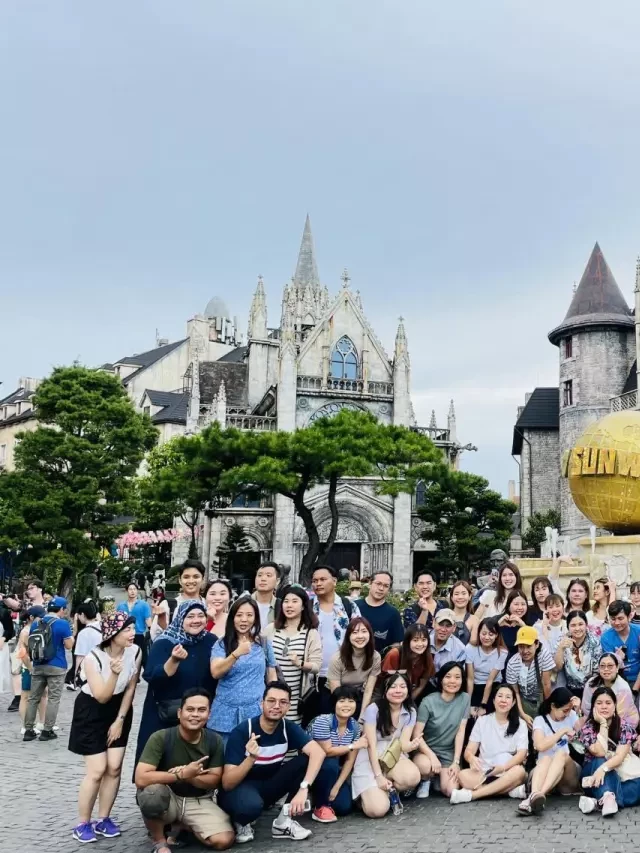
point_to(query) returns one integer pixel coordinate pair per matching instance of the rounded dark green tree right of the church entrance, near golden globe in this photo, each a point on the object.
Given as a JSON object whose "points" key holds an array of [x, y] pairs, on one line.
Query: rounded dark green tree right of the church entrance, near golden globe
{"points": [[466, 519]]}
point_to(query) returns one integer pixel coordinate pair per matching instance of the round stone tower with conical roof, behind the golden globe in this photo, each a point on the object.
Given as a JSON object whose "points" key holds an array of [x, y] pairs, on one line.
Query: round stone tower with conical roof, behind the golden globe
{"points": [[596, 343]]}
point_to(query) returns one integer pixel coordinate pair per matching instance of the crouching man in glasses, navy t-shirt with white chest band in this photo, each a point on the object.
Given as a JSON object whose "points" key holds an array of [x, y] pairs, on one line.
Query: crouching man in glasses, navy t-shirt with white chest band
{"points": [[255, 775]]}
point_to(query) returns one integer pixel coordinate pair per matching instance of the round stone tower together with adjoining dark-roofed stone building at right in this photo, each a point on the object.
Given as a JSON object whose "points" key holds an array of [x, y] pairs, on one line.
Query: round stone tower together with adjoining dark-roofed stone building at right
{"points": [[597, 372]]}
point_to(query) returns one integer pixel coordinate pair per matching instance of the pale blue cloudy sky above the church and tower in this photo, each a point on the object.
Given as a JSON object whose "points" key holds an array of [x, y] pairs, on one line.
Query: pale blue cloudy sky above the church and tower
{"points": [[459, 159]]}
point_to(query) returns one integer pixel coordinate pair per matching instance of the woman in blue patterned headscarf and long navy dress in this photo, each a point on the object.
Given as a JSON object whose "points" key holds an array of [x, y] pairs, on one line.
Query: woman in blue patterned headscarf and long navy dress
{"points": [[178, 660]]}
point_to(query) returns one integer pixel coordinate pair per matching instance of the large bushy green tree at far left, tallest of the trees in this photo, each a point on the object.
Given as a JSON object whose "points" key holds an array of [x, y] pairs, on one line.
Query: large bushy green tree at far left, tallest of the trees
{"points": [[73, 473]]}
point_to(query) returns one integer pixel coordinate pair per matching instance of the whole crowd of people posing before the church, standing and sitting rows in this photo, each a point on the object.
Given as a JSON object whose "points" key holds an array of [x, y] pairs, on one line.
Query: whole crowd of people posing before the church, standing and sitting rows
{"points": [[320, 703]]}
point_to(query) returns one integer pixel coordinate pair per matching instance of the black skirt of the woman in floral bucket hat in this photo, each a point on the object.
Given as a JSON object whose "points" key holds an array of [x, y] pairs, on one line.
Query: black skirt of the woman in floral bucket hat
{"points": [[91, 722]]}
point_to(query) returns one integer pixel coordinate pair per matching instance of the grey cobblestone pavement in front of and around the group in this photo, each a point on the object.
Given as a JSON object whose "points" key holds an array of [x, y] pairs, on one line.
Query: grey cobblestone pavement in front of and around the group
{"points": [[45, 776]]}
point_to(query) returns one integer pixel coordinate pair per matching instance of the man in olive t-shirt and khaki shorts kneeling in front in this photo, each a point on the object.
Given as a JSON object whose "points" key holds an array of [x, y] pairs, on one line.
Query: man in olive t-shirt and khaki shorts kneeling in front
{"points": [[178, 772]]}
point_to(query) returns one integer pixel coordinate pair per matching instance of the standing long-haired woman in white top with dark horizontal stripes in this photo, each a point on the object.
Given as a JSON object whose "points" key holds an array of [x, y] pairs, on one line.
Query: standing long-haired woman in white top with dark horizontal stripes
{"points": [[296, 645]]}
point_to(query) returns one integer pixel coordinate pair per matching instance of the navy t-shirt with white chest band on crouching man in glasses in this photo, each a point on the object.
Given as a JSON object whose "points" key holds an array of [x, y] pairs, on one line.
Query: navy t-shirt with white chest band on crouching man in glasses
{"points": [[273, 747]]}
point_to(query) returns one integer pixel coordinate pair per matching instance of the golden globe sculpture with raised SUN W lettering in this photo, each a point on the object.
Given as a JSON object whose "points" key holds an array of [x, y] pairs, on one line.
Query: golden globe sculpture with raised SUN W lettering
{"points": [[604, 472]]}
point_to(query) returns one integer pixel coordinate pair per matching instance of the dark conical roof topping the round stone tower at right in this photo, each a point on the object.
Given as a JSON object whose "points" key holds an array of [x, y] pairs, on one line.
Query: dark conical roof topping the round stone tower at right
{"points": [[598, 301]]}
